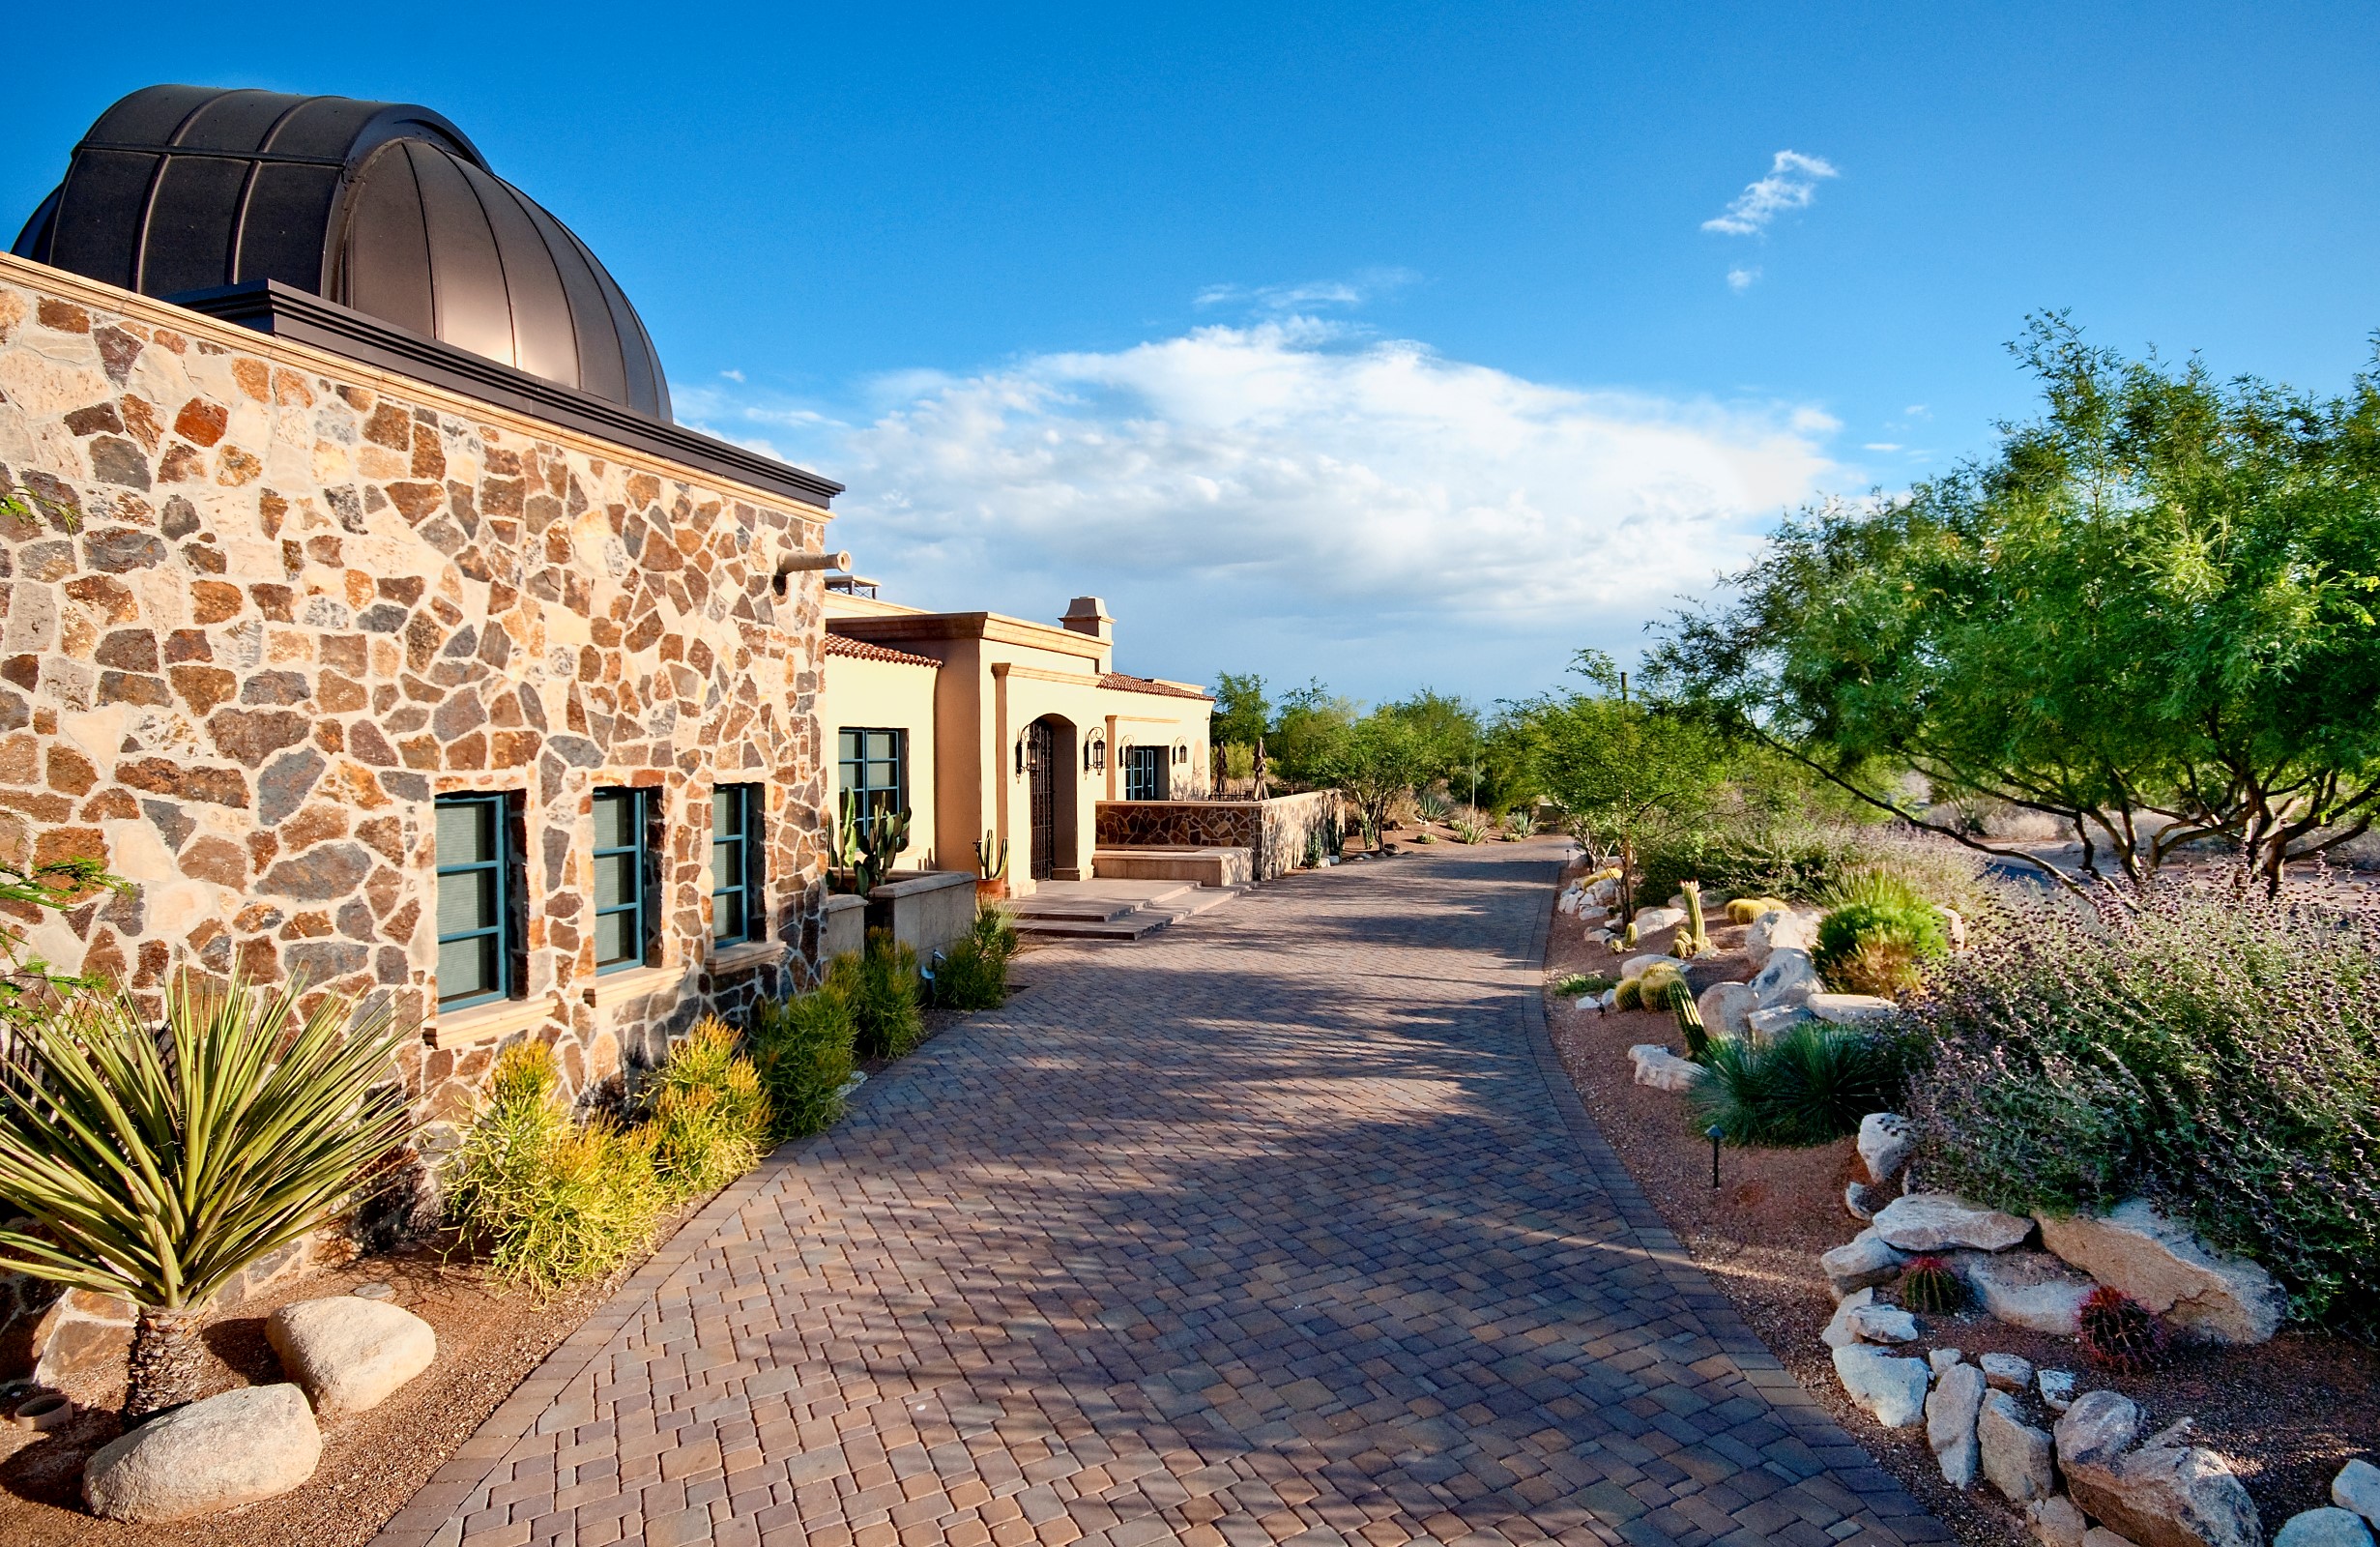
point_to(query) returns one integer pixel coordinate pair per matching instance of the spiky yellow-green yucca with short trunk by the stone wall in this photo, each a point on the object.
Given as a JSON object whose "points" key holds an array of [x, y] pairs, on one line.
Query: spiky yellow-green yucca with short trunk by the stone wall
{"points": [[158, 1165]]}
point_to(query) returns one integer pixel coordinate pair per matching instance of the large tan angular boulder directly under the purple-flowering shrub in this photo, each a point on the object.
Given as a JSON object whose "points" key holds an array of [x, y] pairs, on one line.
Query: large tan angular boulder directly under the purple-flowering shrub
{"points": [[2169, 1270]]}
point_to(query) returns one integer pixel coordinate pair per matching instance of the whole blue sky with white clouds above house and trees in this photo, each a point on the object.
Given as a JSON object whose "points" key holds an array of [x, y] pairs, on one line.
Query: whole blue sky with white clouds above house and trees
{"points": [[1377, 344]]}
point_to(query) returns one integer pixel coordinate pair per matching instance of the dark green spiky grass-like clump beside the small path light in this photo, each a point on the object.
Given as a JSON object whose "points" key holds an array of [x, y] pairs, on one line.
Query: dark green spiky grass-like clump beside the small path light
{"points": [[1805, 1086]]}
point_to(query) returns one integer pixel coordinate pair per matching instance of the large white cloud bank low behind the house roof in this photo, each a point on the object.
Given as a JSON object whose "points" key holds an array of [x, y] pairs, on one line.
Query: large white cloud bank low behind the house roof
{"points": [[1279, 496]]}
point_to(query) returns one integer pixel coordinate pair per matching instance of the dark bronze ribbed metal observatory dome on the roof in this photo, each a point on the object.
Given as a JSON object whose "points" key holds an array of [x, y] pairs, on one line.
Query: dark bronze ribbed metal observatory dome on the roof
{"points": [[372, 206]]}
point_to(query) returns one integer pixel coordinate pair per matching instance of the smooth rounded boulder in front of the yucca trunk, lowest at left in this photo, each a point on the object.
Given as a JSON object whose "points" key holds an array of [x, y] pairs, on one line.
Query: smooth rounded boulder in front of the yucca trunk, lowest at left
{"points": [[251, 1443]]}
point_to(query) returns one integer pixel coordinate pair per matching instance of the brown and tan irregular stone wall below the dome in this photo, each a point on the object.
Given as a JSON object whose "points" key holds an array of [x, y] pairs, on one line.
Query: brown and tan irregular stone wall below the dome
{"points": [[263, 606]]}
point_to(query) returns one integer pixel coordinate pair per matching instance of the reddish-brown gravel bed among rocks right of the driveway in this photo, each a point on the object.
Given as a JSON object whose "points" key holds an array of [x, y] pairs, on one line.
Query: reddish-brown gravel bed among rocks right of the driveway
{"points": [[2288, 1415]]}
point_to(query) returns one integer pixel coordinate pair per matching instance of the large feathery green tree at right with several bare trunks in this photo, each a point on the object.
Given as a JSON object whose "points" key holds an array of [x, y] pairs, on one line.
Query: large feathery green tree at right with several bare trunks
{"points": [[2148, 615]]}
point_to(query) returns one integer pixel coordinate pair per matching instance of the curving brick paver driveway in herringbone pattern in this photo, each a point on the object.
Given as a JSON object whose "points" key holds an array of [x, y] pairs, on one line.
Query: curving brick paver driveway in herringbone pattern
{"points": [[1274, 1227]]}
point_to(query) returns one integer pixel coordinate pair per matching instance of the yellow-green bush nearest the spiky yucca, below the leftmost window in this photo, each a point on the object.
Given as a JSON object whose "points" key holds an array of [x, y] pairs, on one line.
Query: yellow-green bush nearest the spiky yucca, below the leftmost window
{"points": [[551, 1201]]}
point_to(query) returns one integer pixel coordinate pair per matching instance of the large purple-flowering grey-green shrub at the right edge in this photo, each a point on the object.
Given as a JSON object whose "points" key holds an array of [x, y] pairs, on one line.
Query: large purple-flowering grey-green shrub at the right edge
{"points": [[2212, 1051]]}
